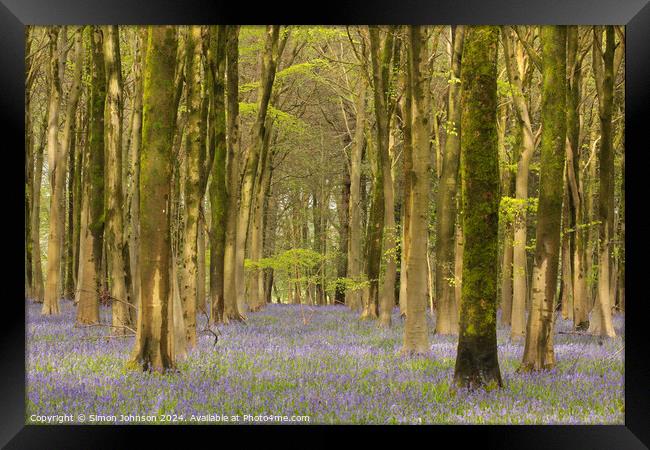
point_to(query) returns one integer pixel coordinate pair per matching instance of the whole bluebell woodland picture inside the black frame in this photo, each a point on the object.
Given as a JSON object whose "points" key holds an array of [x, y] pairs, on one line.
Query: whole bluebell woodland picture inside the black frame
{"points": [[290, 224]]}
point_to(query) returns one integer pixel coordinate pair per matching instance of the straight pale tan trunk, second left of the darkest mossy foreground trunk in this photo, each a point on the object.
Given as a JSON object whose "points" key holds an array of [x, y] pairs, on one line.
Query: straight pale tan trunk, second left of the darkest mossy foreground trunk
{"points": [[415, 329]]}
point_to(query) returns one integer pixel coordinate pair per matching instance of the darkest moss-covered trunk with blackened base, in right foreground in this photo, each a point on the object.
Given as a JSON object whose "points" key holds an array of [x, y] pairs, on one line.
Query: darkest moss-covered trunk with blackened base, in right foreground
{"points": [[476, 359]]}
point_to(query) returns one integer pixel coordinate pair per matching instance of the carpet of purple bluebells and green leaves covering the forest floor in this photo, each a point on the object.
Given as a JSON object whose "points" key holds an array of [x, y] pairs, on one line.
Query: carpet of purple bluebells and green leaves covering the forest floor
{"points": [[320, 362]]}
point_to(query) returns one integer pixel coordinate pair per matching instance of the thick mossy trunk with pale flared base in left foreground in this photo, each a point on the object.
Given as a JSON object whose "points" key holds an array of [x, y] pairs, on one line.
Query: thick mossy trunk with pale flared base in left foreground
{"points": [[152, 349]]}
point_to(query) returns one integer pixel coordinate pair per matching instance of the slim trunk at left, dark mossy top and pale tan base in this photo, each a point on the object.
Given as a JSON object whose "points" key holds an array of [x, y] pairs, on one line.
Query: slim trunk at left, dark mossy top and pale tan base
{"points": [[92, 218]]}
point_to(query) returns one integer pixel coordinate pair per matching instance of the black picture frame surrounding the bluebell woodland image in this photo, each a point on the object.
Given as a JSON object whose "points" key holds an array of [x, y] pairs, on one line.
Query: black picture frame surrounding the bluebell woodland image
{"points": [[635, 14]]}
